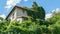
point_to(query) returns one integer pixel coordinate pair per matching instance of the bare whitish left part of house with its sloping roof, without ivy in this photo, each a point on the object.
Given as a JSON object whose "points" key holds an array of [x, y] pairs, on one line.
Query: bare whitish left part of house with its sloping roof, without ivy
{"points": [[17, 13]]}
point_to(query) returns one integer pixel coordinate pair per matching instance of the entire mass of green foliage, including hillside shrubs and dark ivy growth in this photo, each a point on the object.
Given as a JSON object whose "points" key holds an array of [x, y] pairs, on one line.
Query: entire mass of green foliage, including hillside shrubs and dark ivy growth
{"points": [[35, 24]]}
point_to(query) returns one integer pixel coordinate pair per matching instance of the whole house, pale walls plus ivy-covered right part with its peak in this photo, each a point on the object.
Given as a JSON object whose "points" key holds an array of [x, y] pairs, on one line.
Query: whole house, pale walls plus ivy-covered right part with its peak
{"points": [[19, 13]]}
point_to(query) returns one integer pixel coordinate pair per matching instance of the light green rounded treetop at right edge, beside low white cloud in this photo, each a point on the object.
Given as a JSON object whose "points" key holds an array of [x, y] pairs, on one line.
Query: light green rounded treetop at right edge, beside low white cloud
{"points": [[55, 17]]}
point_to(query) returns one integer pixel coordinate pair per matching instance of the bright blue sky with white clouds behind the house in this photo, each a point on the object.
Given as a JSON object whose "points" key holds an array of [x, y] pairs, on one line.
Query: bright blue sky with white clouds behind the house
{"points": [[7, 5]]}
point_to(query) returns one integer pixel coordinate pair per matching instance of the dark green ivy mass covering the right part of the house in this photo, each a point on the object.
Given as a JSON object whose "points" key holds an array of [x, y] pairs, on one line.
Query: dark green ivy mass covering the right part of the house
{"points": [[37, 12]]}
